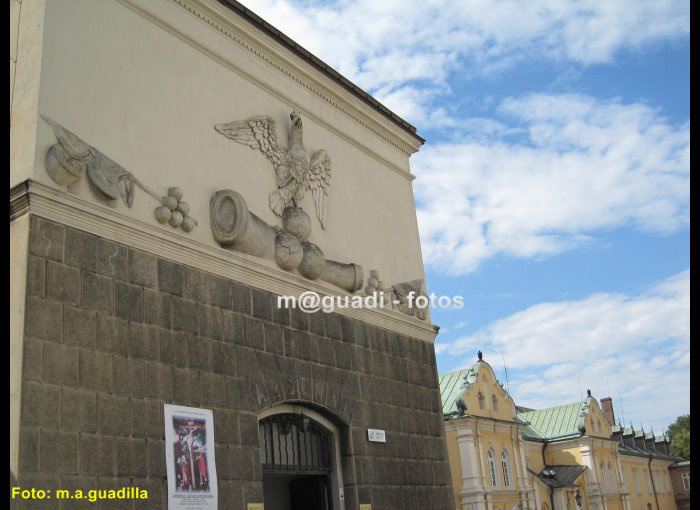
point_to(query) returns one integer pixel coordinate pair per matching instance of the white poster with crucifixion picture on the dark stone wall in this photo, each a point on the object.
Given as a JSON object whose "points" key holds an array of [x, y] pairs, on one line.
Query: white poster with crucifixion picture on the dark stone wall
{"points": [[189, 457]]}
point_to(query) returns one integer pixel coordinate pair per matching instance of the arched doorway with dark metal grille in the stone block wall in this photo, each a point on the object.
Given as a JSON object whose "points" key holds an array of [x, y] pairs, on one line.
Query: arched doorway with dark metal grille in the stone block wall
{"points": [[299, 457]]}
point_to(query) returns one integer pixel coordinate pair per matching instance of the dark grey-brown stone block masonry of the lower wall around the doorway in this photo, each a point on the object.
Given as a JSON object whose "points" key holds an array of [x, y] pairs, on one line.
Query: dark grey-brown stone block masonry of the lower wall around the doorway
{"points": [[113, 333]]}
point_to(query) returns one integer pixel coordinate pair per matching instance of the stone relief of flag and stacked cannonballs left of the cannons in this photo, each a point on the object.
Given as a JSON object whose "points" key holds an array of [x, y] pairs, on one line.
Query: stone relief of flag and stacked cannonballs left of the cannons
{"points": [[67, 161]]}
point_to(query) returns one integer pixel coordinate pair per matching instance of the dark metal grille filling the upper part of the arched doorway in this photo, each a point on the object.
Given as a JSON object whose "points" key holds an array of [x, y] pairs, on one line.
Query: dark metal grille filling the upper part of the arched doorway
{"points": [[294, 443]]}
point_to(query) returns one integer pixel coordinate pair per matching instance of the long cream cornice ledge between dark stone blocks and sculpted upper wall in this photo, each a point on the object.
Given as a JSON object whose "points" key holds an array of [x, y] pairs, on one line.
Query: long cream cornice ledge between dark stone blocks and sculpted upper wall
{"points": [[31, 197]]}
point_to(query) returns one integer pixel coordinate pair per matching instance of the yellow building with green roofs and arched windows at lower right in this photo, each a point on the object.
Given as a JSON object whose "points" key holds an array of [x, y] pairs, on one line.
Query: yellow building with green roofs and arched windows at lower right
{"points": [[568, 457]]}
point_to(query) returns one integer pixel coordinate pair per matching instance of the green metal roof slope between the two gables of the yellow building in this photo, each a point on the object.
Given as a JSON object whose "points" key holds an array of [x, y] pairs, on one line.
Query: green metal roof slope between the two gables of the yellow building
{"points": [[559, 422]]}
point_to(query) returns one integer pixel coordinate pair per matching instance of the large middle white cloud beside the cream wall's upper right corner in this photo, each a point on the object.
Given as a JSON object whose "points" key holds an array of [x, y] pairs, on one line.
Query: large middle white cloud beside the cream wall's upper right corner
{"points": [[582, 165]]}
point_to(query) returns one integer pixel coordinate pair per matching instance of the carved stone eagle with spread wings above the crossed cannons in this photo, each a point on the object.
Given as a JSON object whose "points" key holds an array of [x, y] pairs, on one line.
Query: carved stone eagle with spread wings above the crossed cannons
{"points": [[295, 172]]}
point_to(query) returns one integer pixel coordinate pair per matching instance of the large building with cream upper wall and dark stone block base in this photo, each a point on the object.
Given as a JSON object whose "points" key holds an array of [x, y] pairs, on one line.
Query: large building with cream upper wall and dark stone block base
{"points": [[176, 166]]}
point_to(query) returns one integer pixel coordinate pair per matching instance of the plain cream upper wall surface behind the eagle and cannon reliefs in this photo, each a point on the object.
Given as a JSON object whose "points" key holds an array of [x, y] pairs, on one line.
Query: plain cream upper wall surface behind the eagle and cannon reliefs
{"points": [[147, 88]]}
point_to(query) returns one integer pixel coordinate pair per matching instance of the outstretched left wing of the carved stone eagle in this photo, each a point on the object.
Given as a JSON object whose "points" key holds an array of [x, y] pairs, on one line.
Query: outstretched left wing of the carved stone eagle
{"points": [[259, 133]]}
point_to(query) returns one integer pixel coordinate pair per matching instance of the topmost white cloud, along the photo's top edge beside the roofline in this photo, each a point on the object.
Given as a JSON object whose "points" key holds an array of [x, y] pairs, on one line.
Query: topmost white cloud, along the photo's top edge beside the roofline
{"points": [[385, 46]]}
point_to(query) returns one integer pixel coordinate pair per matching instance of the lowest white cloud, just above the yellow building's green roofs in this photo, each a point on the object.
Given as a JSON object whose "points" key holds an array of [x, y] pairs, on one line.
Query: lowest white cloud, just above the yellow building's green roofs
{"points": [[637, 347]]}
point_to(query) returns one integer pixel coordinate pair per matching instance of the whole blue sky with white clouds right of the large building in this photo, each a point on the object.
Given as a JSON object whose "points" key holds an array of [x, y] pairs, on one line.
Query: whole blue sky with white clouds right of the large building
{"points": [[552, 192]]}
